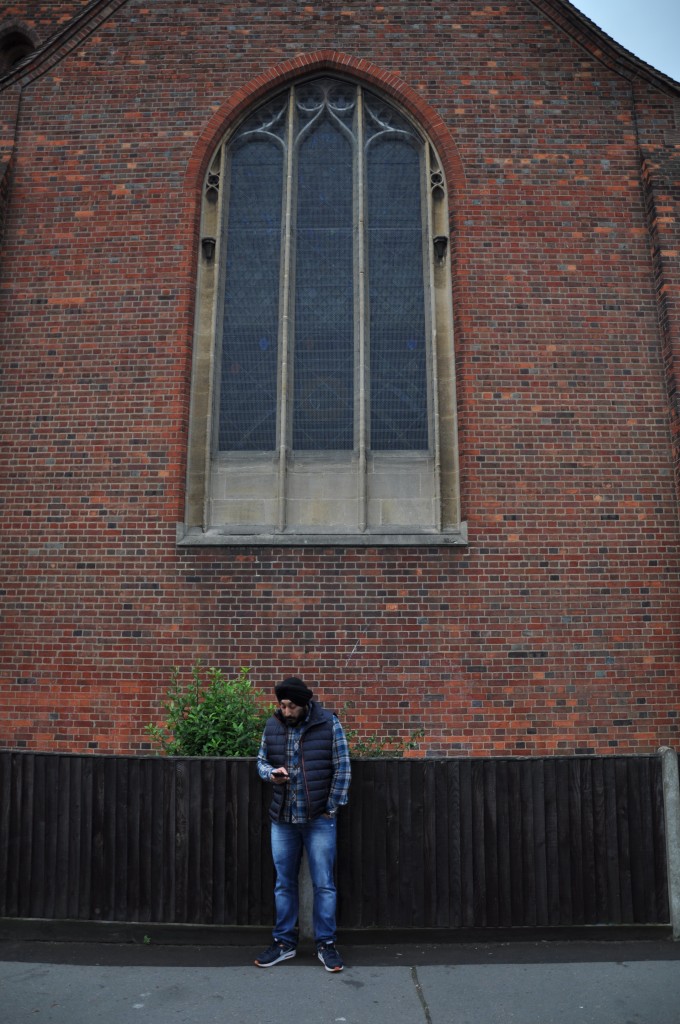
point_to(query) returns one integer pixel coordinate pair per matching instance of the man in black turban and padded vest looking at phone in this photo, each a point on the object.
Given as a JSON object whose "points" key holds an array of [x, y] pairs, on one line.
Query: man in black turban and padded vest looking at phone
{"points": [[305, 756]]}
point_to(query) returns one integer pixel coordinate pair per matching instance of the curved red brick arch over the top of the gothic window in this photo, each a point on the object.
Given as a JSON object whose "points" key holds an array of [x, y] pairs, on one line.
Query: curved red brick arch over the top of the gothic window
{"points": [[330, 62]]}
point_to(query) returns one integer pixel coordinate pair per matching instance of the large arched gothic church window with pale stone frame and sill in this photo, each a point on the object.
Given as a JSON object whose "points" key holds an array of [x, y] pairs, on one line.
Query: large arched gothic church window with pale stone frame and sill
{"points": [[323, 397]]}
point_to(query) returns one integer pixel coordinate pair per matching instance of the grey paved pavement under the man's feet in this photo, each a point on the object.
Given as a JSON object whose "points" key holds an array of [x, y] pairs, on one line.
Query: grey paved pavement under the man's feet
{"points": [[556, 983]]}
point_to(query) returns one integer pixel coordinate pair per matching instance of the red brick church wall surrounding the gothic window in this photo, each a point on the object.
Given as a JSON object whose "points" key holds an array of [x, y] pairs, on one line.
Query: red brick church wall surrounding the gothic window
{"points": [[557, 629]]}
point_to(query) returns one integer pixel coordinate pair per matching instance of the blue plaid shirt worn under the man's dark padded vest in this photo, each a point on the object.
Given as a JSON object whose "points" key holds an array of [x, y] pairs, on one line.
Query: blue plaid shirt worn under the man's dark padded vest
{"points": [[295, 799]]}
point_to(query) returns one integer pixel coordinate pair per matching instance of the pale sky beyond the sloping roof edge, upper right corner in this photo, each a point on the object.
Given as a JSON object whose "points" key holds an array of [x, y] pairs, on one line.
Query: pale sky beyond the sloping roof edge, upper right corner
{"points": [[651, 29]]}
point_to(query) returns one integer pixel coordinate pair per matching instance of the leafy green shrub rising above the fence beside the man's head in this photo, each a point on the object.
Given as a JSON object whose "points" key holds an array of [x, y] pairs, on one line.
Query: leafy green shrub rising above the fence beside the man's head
{"points": [[224, 718]]}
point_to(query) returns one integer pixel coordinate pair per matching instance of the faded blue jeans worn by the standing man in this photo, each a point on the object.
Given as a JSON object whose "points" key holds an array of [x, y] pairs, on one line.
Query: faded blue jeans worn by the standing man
{"points": [[288, 841]]}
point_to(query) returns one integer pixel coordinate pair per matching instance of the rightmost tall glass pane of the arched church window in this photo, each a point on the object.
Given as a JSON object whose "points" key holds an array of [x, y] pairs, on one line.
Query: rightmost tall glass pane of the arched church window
{"points": [[397, 295]]}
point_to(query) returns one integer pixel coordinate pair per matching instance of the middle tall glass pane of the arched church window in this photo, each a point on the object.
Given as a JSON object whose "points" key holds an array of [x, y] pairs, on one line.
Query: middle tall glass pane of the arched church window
{"points": [[323, 417]]}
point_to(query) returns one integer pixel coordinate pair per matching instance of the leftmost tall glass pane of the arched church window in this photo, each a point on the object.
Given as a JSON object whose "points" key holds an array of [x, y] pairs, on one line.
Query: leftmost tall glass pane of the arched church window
{"points": [[248, 395]]}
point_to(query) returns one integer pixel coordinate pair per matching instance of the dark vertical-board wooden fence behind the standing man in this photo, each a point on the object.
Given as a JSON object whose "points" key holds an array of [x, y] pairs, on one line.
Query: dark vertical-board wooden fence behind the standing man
{"points": [[424, 844]]}
